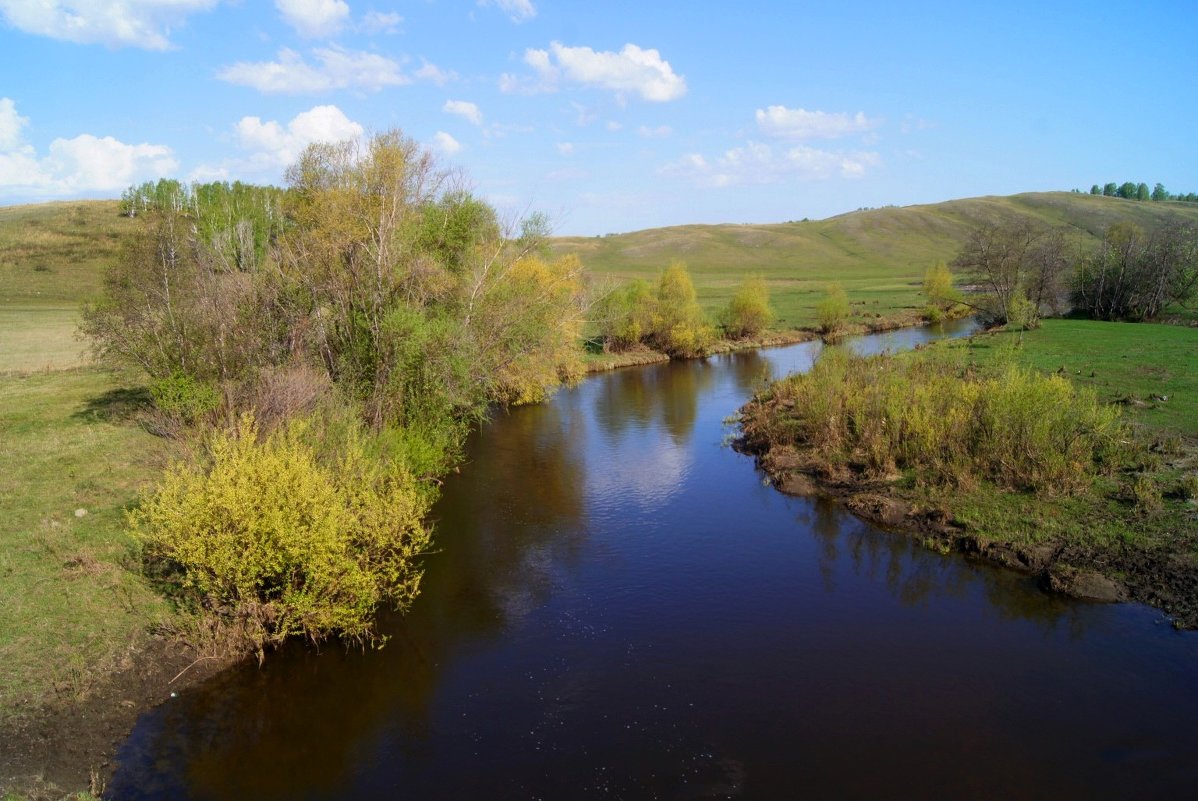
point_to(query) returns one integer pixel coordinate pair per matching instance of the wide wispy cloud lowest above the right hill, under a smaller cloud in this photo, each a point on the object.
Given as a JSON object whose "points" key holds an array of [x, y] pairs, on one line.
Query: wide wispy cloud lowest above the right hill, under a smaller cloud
{"points": [[758, 163]]}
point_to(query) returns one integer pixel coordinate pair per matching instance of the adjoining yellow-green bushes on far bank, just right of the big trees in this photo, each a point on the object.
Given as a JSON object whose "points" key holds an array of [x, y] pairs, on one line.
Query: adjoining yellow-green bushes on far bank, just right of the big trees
{"points": [[668, 318]]}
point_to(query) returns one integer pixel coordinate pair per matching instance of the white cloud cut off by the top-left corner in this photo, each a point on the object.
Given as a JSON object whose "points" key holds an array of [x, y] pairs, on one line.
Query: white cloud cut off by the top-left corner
{"points": [[128, 23]]}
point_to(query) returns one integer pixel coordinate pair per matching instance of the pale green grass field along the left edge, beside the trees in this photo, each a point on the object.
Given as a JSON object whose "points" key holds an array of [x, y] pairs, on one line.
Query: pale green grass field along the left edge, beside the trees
{"points": [[69, 608]]}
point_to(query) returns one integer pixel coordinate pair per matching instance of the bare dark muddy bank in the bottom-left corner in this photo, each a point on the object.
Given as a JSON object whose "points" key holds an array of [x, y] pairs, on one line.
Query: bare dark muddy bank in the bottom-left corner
{"points": [[68, 745]]}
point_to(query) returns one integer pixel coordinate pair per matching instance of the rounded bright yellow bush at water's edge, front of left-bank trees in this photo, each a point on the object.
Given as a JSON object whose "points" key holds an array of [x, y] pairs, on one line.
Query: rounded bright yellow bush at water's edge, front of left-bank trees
{"points": [[275, 544]]}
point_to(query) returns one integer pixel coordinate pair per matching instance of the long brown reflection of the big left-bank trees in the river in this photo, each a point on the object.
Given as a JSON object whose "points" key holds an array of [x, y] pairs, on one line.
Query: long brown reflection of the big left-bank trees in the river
{"points": [[294, 729]]}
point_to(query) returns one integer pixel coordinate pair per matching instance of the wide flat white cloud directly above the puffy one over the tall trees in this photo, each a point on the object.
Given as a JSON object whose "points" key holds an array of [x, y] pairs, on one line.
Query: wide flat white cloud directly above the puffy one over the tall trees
{"points": [[338, 69]]}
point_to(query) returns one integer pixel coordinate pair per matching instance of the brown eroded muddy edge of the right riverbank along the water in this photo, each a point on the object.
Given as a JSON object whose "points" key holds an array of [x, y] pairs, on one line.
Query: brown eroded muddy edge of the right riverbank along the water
{"points": [[1164, 580]]}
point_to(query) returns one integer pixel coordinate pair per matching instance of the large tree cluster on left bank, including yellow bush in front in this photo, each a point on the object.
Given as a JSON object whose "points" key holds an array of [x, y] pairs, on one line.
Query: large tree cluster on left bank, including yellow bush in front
{"points": [[386, 312]]}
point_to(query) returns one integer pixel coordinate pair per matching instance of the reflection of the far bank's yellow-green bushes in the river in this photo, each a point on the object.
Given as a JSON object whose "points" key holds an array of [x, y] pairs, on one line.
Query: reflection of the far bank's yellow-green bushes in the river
{"points": [[665, 396]]}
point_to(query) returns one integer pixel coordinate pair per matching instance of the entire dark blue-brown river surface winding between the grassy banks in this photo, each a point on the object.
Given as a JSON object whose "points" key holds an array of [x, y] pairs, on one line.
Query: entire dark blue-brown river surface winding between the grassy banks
{"points": [[621, 609]]}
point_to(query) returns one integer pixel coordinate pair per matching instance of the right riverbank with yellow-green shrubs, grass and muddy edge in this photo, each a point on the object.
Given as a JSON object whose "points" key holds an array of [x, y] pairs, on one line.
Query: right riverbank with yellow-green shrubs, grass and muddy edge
{"points": [[1097, 500]]}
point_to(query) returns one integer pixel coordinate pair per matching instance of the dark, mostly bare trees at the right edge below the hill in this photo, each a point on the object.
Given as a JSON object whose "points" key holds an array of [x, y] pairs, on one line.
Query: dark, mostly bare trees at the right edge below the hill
{"points": [[1020, 271]]}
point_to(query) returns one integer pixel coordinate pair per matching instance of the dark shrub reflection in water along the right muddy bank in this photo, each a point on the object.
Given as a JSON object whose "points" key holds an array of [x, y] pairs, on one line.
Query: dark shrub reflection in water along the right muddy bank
{"points": [[919, 578]]}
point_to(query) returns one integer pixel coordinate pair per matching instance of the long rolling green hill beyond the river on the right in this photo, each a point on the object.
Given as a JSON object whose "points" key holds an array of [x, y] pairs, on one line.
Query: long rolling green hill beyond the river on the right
{"points": [[879, 256]]}
